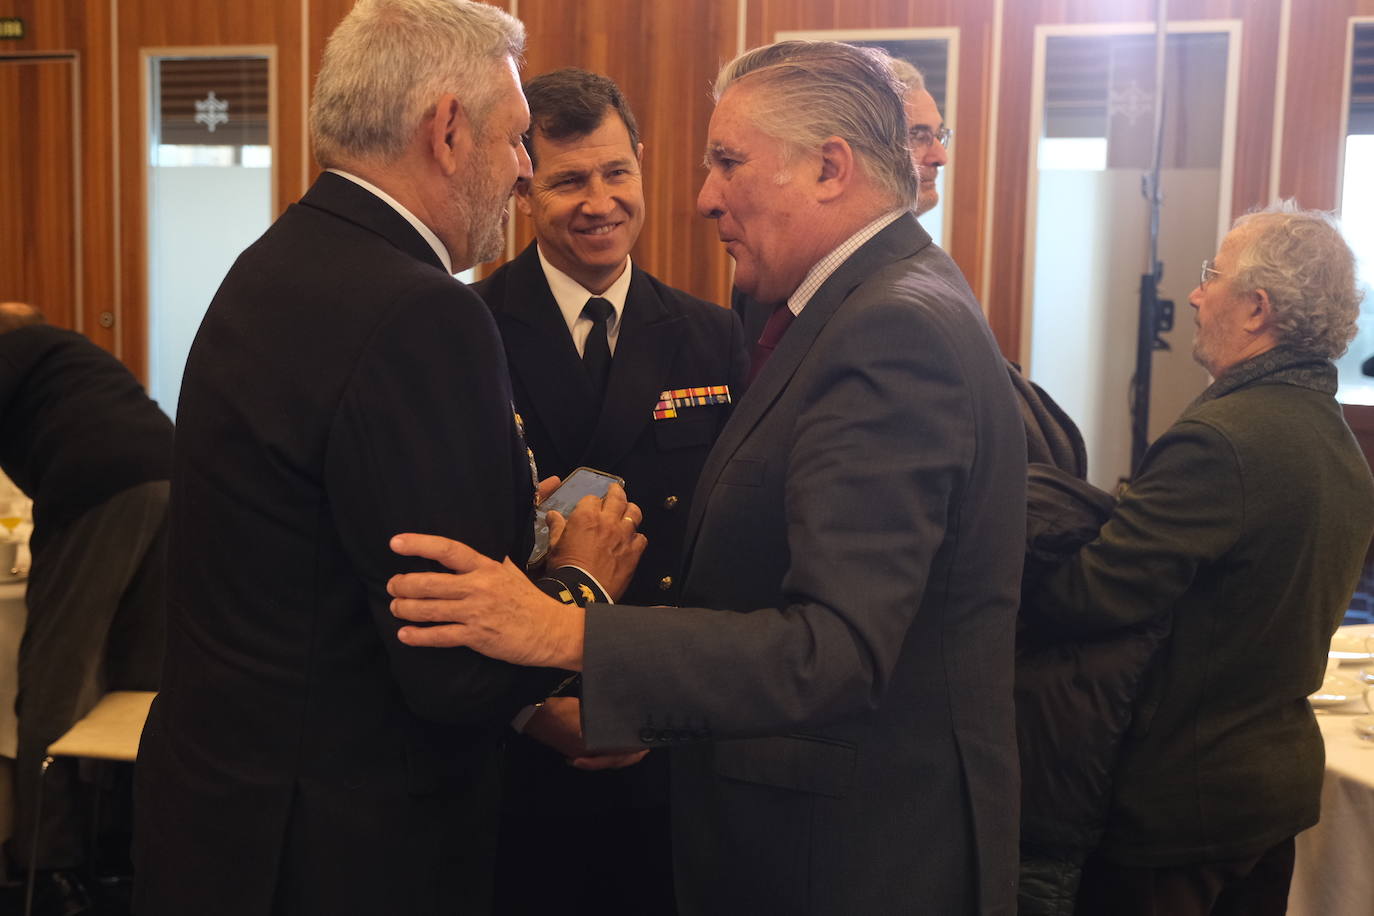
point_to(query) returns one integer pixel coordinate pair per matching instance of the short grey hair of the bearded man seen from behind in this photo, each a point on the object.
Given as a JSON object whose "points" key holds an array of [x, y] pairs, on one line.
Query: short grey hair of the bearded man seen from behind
{"points": [[391, 60]]}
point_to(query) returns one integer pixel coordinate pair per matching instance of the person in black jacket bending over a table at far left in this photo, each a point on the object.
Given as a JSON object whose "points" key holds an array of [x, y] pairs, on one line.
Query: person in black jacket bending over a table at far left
{"points": [[82, 439]]}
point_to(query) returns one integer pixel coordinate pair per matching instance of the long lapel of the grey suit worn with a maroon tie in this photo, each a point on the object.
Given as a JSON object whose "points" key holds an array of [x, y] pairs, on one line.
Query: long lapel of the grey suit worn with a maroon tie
{"points": [[899, 240]]}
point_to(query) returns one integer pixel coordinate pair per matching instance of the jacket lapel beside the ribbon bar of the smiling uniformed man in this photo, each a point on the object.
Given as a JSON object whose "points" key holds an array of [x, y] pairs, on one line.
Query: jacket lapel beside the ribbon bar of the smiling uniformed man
{"points": [[645, 355]]}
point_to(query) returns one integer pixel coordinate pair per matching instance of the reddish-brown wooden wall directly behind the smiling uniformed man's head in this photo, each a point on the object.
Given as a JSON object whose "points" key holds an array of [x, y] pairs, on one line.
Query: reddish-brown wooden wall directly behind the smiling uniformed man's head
{"points": [[664, 57]]}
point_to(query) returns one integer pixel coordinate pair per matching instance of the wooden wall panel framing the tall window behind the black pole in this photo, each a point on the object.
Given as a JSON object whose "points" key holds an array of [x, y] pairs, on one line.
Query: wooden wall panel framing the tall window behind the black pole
{"points": [[1259, 54]]}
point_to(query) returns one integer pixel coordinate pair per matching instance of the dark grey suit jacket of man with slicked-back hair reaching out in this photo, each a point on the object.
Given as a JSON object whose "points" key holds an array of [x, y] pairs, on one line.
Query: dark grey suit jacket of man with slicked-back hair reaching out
{"points": [[858, 531]]}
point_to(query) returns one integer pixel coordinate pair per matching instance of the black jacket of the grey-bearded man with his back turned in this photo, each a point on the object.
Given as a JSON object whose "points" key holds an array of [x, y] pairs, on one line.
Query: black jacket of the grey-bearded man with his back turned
{"points": [[343, 388]]}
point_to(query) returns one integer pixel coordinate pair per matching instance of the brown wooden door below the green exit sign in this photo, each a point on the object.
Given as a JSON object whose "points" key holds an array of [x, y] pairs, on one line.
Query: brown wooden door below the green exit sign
{"points": [[39, 225]]}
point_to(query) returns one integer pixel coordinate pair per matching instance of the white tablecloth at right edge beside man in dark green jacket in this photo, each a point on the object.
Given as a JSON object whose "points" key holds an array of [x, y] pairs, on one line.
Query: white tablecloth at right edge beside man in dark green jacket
{"points": [[1335, 870]]}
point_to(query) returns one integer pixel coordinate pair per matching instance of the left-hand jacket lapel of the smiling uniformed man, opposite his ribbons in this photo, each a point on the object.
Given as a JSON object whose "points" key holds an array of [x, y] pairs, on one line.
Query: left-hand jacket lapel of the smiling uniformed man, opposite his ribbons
{"points": [[545, 360]]}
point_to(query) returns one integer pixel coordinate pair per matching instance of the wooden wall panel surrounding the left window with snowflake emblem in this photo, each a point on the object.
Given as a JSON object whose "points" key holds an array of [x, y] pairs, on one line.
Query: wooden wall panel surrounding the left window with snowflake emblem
{"points": [[153, 24]]}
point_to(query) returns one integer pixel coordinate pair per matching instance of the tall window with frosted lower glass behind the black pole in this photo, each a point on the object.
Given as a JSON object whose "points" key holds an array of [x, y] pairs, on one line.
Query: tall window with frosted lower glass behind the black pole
{"points": [[1092, 227]]}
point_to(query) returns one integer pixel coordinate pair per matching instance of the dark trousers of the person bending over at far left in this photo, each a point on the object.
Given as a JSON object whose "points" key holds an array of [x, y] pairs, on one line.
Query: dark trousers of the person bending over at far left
{"points": [[97, 623]]}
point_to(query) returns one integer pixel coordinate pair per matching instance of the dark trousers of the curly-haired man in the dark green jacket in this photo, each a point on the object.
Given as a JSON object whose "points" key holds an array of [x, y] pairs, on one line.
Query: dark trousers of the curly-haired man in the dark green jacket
{"points": [[1255, 886]]}
